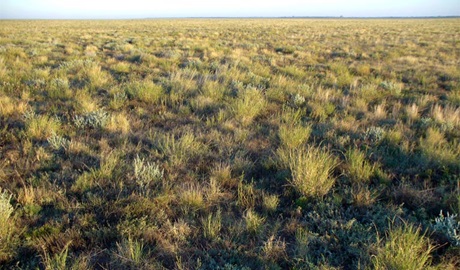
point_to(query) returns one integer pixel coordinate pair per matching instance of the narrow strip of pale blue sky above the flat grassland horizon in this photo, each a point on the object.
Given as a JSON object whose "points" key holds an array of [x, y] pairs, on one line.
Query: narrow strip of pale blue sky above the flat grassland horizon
{"points": [[126, 9]]}
